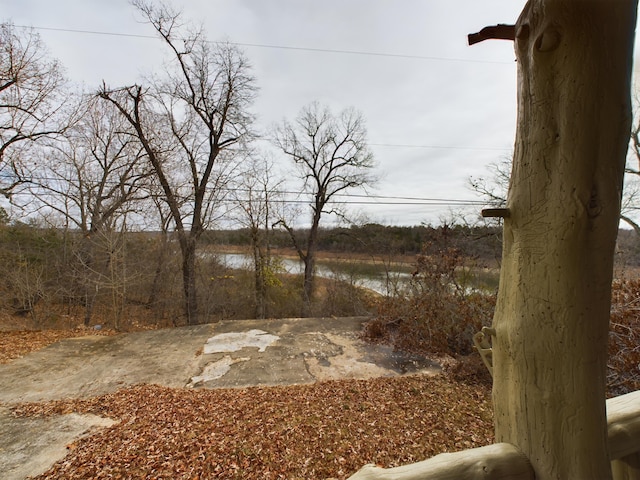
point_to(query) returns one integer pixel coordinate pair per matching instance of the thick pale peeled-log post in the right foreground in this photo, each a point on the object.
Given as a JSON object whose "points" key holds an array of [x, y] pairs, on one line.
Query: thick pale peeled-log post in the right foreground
{"points": [[551, 320]]}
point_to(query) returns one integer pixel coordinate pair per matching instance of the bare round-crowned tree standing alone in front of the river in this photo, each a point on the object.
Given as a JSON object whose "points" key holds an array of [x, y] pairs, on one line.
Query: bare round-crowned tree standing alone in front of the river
{"points": [[332, 156]]}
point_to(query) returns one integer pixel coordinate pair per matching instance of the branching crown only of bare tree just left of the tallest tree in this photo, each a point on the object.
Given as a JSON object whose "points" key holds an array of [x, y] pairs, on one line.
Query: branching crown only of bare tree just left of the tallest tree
{"points": [[95, 173]]}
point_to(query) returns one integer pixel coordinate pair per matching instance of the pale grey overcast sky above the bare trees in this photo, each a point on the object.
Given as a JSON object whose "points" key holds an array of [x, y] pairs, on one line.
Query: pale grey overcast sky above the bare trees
{"points": [[437, 110]]}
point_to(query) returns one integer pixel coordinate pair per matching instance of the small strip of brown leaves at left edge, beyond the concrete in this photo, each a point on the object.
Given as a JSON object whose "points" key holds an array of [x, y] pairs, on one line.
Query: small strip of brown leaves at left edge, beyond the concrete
{"points": [[16, 344]]}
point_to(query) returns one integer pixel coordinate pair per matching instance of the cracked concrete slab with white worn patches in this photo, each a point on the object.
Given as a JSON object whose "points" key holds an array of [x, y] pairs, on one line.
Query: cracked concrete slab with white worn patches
{"points": [[296, 351]]}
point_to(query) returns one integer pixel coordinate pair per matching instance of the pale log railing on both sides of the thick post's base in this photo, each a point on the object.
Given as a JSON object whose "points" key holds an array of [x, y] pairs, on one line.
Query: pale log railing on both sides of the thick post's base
{"points": [[505, 462]]}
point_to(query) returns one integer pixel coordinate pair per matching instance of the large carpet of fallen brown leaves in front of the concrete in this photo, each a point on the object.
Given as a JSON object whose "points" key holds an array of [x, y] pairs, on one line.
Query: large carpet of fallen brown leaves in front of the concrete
{"points": [[328, 429]]}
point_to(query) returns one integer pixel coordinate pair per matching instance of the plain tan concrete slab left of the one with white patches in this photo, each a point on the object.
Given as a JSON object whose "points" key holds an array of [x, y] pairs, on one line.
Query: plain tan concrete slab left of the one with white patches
{"points": [[90, 366]]}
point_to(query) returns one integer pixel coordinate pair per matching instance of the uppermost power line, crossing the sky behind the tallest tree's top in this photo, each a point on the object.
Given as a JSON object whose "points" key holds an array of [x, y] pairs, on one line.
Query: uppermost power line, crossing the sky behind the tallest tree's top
{"points": [[283, 47]]}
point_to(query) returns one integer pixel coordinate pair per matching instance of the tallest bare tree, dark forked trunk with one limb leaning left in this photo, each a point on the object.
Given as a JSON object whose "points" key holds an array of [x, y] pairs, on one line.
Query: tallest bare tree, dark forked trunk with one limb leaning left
{"points": [[188, 125]]}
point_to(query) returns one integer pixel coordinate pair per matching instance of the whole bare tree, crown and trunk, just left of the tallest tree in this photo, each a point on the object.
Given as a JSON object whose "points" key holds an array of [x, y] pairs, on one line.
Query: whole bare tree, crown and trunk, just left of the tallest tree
{"points": [[92, 178]]}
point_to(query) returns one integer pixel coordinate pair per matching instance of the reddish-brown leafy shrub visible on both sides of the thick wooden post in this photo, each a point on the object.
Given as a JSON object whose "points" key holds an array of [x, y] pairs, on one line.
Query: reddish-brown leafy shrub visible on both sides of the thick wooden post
{"points": [[436, 315]]}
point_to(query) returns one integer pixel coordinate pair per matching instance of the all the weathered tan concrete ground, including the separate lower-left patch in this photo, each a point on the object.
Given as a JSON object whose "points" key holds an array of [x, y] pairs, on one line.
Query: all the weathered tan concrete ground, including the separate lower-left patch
{"points": [[226, 354]]}
